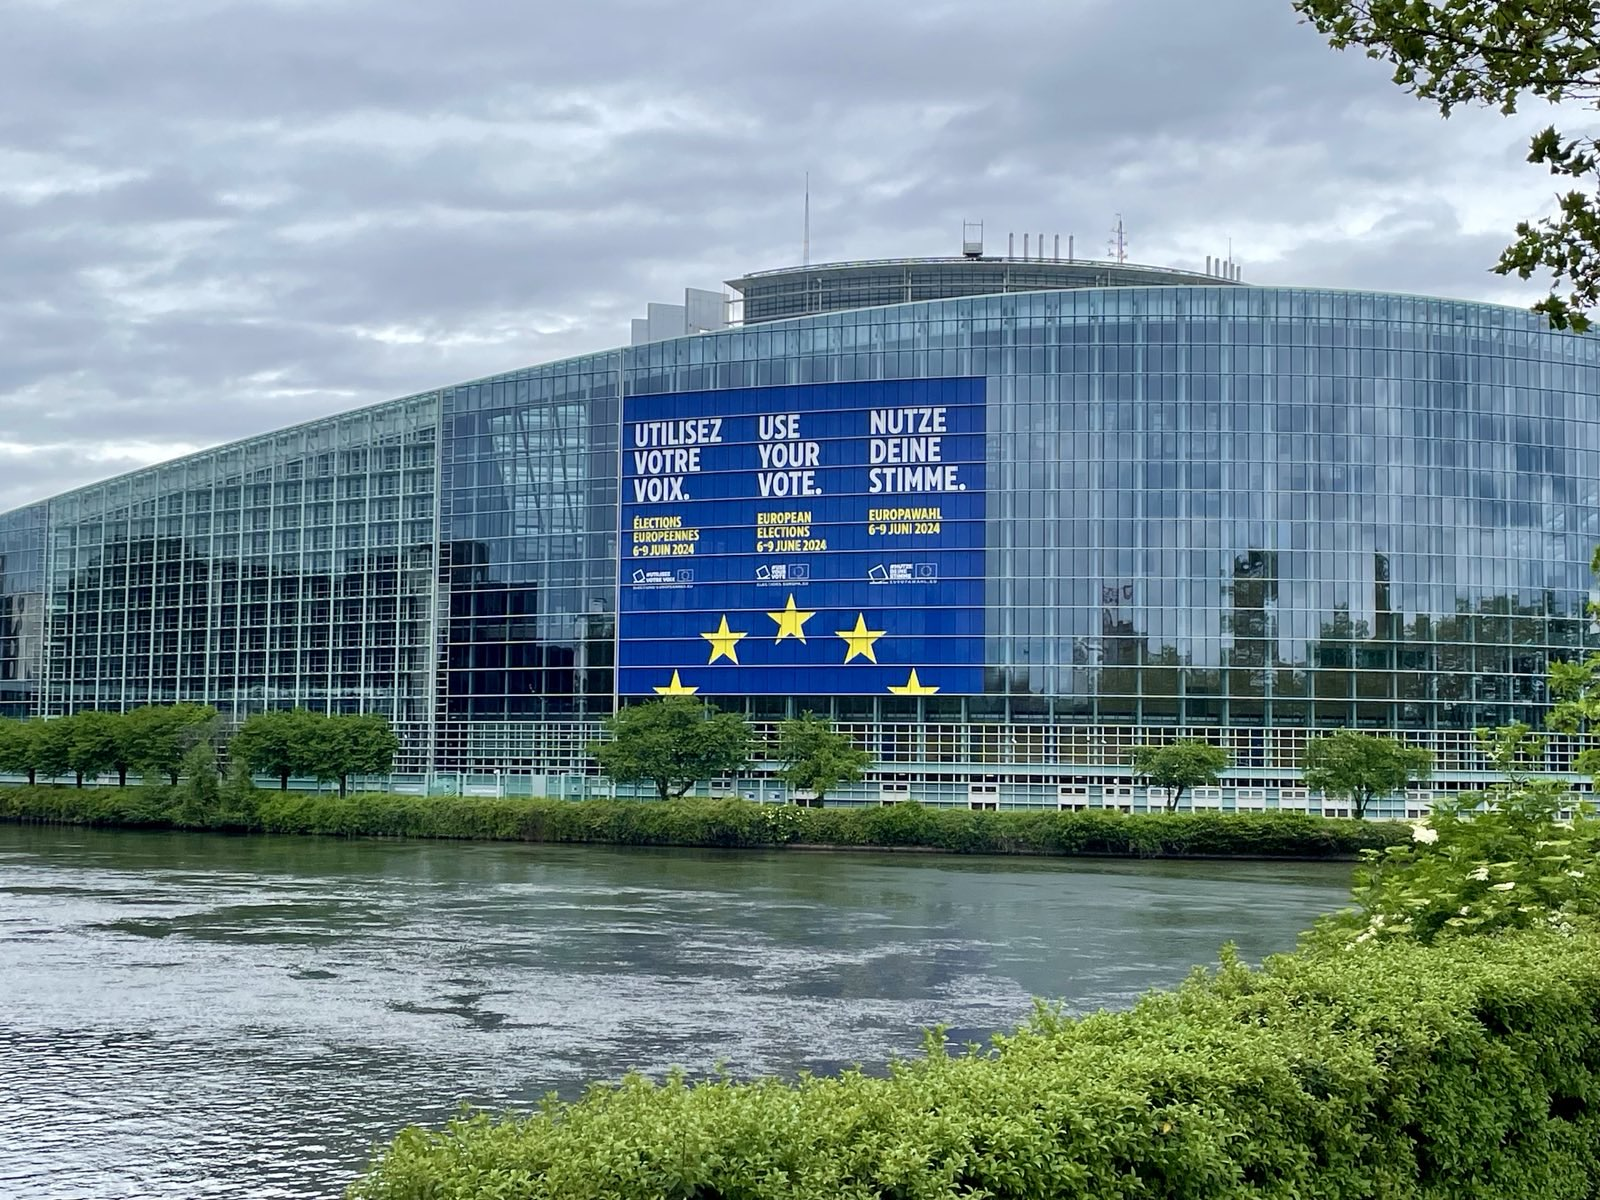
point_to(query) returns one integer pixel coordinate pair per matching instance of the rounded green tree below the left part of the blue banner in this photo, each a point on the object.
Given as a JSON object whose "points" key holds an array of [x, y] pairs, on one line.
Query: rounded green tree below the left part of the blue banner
{"points": [[674, 743]]}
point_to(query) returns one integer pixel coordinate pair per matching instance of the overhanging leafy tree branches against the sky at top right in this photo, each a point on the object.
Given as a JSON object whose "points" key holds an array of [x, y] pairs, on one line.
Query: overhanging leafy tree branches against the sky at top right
{"points": [[1500, 54]]}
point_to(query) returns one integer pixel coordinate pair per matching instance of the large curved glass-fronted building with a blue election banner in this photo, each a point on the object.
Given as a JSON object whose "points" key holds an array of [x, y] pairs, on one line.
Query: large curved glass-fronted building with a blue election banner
{"points": [[1234, 513]]}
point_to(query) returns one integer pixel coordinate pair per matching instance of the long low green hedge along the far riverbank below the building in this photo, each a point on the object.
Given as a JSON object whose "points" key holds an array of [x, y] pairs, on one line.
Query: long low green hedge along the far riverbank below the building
{"points": [[708, 823]]}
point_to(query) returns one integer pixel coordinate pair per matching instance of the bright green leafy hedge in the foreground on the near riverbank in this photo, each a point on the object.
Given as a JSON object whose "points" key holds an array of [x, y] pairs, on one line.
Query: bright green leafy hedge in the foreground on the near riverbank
{"points": [[1470, 1070]]}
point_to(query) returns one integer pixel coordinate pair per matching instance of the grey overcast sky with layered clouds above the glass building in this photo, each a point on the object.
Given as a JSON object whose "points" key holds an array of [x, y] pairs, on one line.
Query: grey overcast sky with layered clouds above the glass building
{"points": [[222, 218]]}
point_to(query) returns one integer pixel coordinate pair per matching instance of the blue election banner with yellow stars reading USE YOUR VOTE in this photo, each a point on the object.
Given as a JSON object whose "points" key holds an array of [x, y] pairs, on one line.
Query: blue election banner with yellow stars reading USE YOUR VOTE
{"points": [[804, 542]]}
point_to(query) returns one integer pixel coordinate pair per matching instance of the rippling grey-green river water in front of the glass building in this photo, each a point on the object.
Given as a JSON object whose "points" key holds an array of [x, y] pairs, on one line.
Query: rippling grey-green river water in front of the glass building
{"points": [[209, 1017]]}
